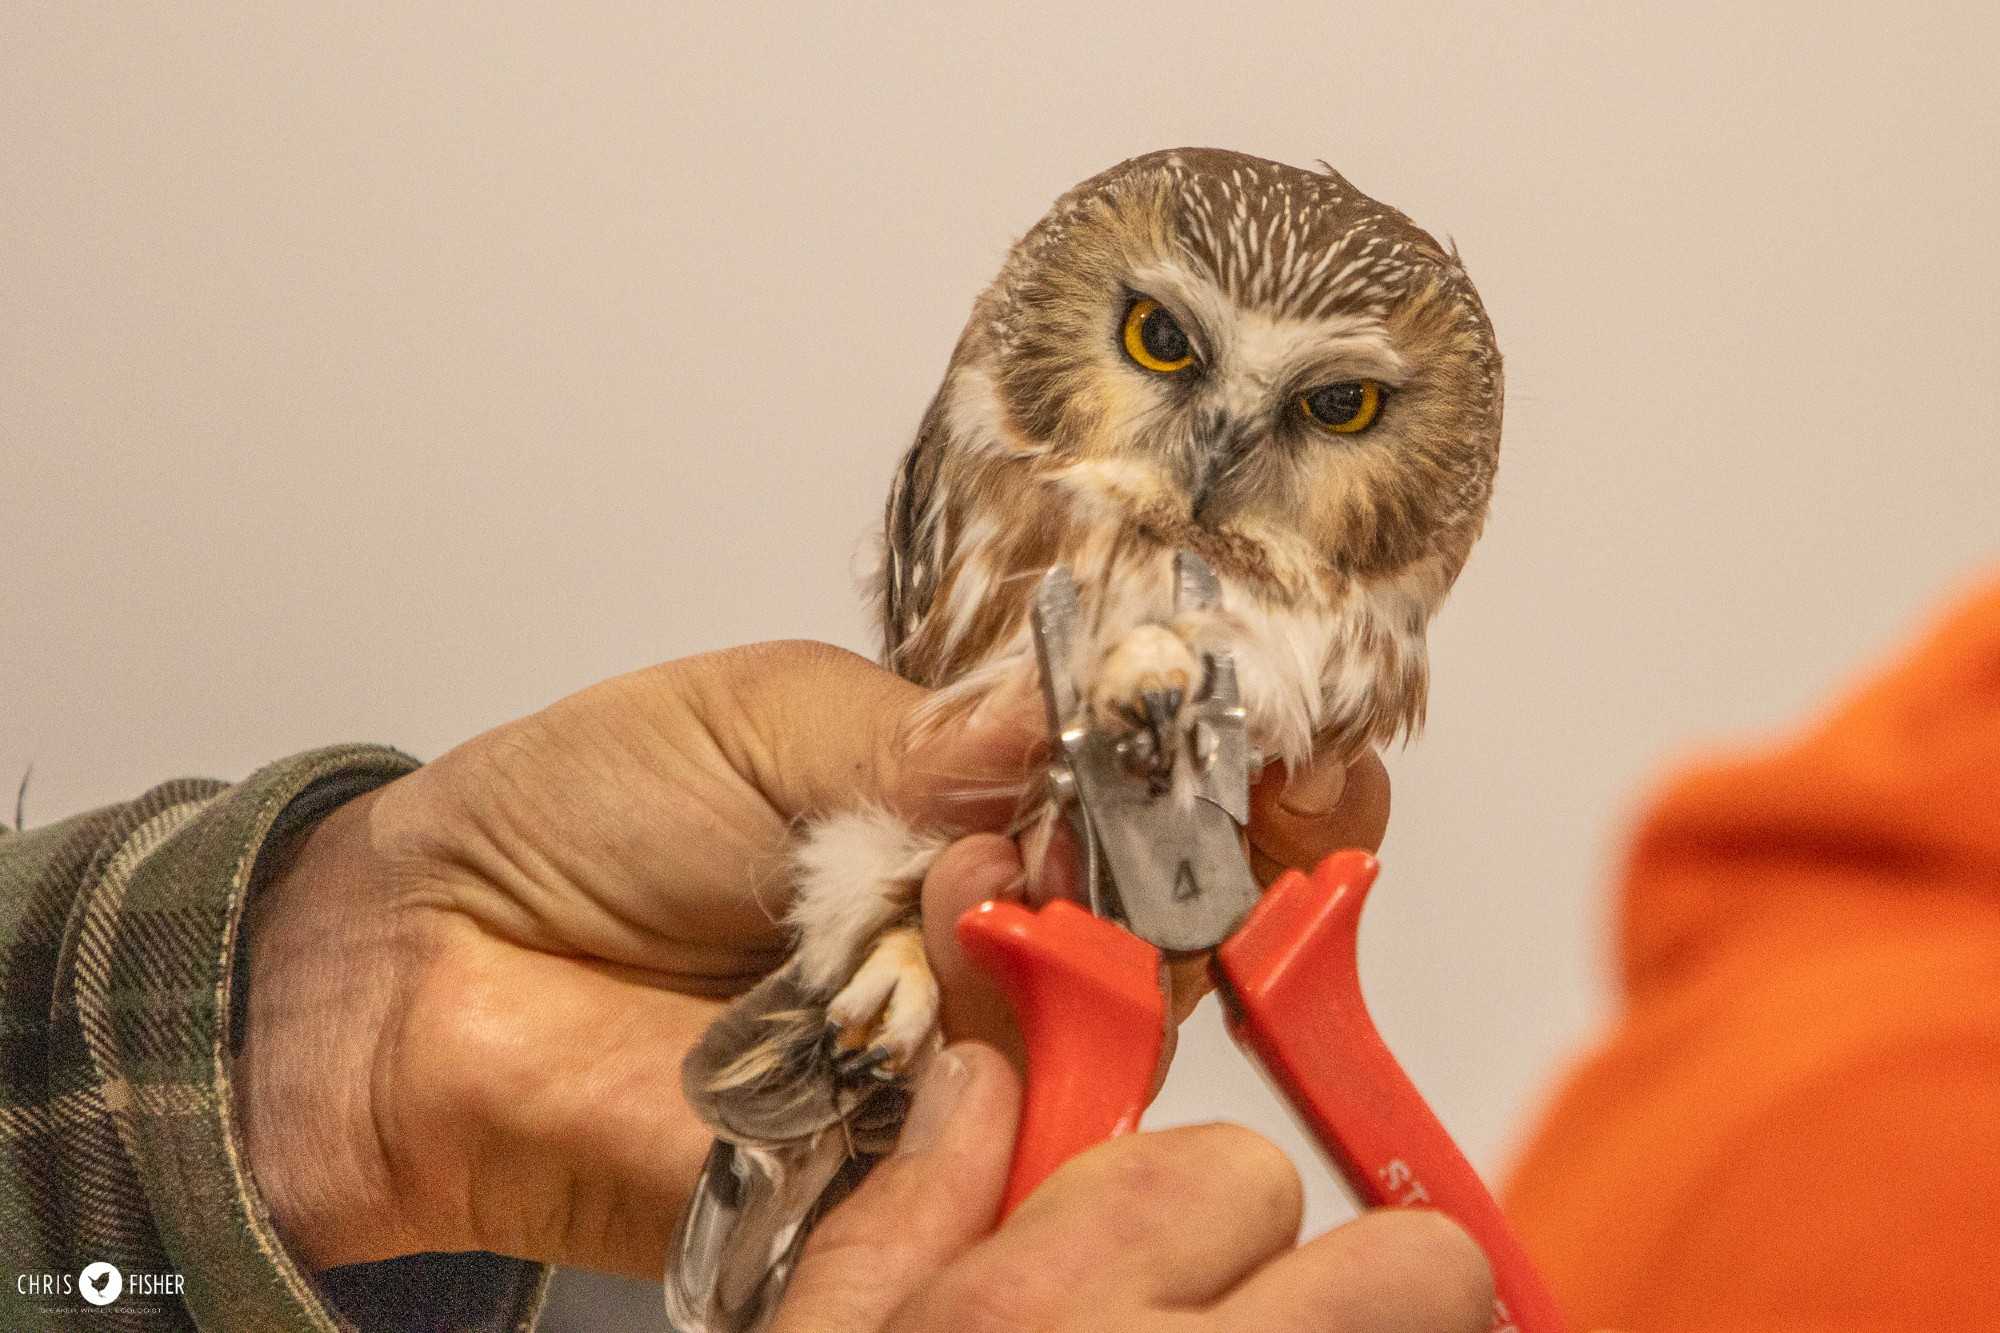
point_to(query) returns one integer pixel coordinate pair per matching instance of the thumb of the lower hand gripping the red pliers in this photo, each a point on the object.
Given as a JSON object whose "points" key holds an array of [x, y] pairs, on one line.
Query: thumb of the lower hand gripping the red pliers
{"points": [[921, 1208]]}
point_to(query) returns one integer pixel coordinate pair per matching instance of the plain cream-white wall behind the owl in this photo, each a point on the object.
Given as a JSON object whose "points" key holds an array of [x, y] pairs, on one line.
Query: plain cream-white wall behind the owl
{"points": [[387, 371]]}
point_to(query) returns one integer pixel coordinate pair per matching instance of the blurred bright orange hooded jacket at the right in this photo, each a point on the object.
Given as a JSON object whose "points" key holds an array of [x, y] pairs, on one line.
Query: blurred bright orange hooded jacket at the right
{"points": [[1797, 1120]]}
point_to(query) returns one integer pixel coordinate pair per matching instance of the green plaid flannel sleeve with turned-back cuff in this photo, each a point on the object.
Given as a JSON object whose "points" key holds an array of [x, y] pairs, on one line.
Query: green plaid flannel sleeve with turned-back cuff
{"points": [[121, 992]]}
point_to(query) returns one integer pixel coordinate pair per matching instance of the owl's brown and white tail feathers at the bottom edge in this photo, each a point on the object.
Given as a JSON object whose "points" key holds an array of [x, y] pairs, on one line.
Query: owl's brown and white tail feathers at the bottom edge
{"points": [[745, 1228]]}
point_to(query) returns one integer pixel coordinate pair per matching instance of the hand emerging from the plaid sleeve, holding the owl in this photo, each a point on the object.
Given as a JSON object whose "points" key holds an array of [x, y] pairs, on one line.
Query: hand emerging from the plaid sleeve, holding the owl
{"points": [[473, 988]]}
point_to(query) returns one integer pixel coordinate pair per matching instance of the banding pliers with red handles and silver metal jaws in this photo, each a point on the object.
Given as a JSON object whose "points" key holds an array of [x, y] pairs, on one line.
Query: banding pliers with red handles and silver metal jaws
{"points": [[1167, 874]]}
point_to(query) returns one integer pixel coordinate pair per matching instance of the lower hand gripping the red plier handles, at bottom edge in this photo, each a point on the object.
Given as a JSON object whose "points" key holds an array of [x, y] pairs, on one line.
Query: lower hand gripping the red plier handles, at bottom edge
{"points": [[1187, 1230]]}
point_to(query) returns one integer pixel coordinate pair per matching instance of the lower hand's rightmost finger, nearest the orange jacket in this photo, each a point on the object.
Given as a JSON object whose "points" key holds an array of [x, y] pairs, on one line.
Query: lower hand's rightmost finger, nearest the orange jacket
{"points": [[1387, 1272]]}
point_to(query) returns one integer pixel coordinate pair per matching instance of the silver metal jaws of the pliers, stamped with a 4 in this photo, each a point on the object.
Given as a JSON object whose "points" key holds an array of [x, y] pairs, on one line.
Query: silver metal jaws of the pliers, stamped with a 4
{"points": [[1169, 866]]}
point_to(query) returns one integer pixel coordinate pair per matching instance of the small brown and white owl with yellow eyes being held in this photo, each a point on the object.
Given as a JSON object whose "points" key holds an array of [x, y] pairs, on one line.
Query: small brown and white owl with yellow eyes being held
{"points": [[1193, 351]]}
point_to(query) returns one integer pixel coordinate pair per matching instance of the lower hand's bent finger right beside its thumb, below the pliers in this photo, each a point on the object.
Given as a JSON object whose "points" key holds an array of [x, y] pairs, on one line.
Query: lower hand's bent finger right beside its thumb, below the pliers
{"points": [[1151, 1222]]}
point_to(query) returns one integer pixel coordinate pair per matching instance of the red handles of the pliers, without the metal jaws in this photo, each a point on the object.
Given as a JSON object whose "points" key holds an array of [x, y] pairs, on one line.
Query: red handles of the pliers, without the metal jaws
{"points": [[1089, 1002]]}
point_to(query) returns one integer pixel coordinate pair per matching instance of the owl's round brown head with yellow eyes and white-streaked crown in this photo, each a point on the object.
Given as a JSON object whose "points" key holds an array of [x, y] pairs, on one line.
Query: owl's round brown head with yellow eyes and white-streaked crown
{"points": [[1245, 359]]}
